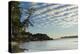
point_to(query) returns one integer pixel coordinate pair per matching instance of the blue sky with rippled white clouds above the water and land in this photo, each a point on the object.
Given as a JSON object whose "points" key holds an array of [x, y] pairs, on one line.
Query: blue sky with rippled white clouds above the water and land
{"points": [[53, 19]]}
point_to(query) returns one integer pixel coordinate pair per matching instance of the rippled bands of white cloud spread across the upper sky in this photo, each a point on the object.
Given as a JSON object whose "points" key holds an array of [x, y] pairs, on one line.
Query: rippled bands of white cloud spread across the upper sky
{"points": [[56, 14]]}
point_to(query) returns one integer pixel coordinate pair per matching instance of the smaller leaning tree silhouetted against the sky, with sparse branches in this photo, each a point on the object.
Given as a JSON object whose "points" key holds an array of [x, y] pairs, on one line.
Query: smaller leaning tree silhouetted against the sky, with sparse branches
{"points": [[27, 21]]}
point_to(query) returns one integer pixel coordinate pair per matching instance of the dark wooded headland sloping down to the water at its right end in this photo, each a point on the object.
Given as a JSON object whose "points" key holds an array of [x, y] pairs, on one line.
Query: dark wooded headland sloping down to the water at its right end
{"points": [[27, 36]]}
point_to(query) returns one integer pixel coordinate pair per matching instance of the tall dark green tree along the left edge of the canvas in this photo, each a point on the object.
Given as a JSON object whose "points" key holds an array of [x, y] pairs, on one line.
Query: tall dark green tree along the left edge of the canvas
{"points": [[15, 17]]}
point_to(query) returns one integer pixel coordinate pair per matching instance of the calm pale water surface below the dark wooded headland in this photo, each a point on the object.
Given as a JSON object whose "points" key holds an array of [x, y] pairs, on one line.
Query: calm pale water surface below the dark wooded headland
{"points": [[61, 44]]}
